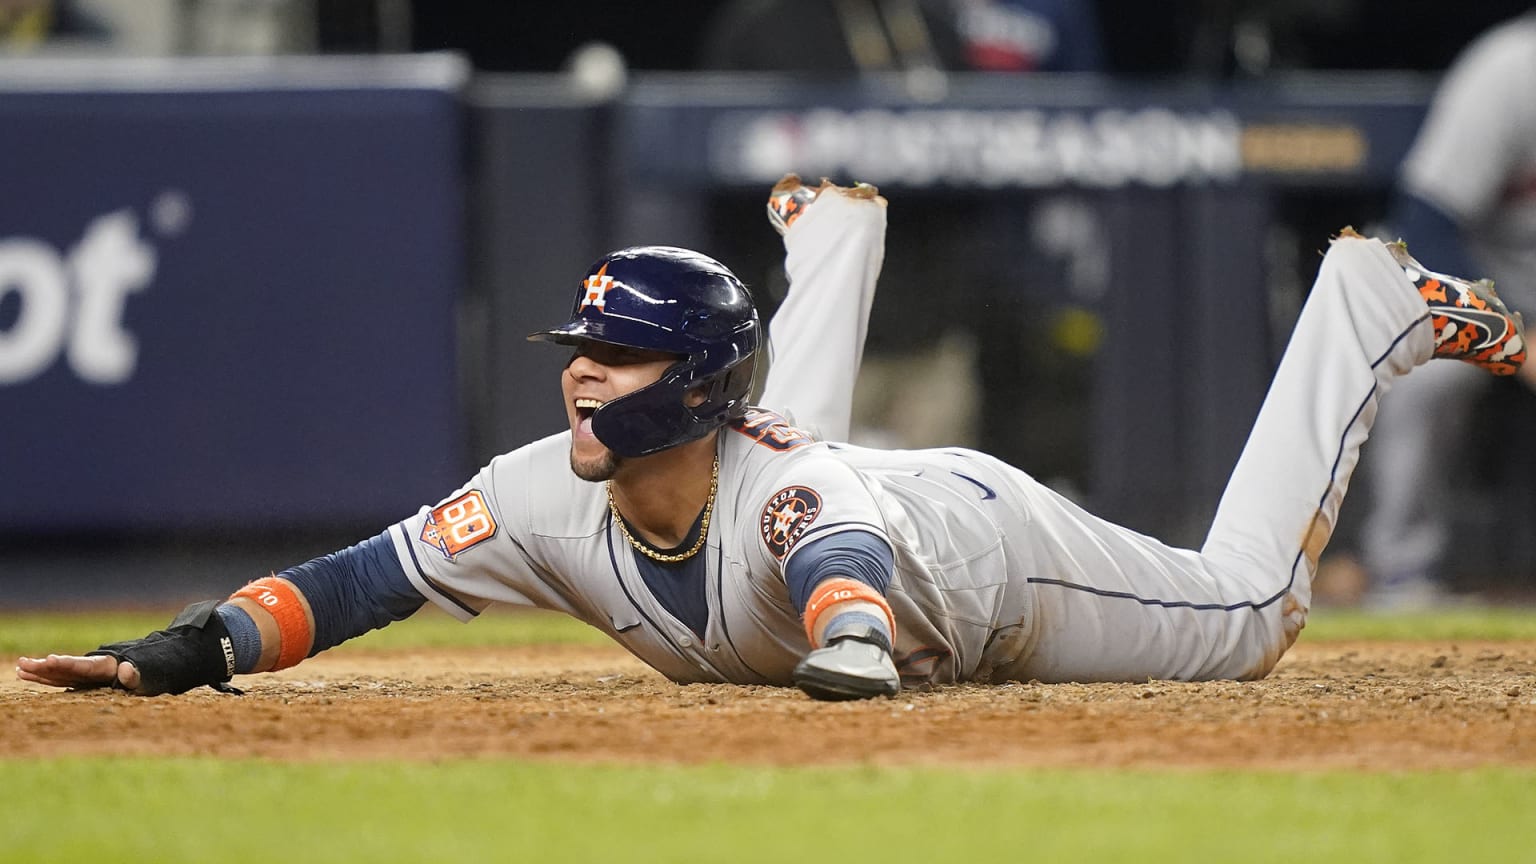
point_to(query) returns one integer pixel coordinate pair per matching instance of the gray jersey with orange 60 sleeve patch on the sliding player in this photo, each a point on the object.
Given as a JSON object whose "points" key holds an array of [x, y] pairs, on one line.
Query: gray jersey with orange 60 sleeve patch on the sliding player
{"points": [[528, 531]]}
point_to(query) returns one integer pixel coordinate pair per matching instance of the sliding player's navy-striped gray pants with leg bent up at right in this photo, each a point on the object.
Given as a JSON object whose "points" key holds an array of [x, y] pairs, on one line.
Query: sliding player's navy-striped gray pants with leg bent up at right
{"points": [[1111, 605]]}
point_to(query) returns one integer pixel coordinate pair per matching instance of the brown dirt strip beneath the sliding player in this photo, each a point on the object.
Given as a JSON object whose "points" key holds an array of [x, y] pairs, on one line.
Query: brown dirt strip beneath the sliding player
{"points": [[1369, 706]]}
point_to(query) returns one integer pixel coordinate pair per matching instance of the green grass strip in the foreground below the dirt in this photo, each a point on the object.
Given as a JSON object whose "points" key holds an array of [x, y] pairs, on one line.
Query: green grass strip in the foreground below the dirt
{"points": [[248, 811]]}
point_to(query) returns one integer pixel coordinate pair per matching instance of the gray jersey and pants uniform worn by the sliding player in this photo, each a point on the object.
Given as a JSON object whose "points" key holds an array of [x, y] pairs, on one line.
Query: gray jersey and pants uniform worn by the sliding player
{"points": [[996, 577]]}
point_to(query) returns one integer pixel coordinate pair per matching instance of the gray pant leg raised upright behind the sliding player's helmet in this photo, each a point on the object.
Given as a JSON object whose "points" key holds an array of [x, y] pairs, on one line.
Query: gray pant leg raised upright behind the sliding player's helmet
{"points": [[835, 250]]}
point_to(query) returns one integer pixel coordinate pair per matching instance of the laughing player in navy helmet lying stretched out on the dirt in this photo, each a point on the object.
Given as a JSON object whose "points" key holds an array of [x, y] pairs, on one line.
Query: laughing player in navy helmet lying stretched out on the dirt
{"points": [[723, 543]]}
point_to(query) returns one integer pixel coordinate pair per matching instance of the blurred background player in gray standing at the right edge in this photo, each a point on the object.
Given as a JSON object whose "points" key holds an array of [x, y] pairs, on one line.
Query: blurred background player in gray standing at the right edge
{"points": [[1469, 204]]}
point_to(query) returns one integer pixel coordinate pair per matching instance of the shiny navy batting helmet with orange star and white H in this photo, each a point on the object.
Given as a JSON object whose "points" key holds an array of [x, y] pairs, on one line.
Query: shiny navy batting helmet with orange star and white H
{"points": [[678, 302]]}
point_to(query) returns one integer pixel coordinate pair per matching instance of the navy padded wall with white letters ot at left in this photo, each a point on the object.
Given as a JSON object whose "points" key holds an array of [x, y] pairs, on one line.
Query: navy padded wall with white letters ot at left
{"points": [[228, 294]]}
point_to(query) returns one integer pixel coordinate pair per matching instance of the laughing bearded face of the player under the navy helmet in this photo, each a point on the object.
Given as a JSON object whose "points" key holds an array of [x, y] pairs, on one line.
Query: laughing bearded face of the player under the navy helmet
{"points": [[598, 374]]}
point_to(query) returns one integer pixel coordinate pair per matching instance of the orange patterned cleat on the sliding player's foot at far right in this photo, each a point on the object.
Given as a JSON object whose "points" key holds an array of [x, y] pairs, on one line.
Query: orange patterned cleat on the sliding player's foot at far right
{"points": [[1471, 322]]}
